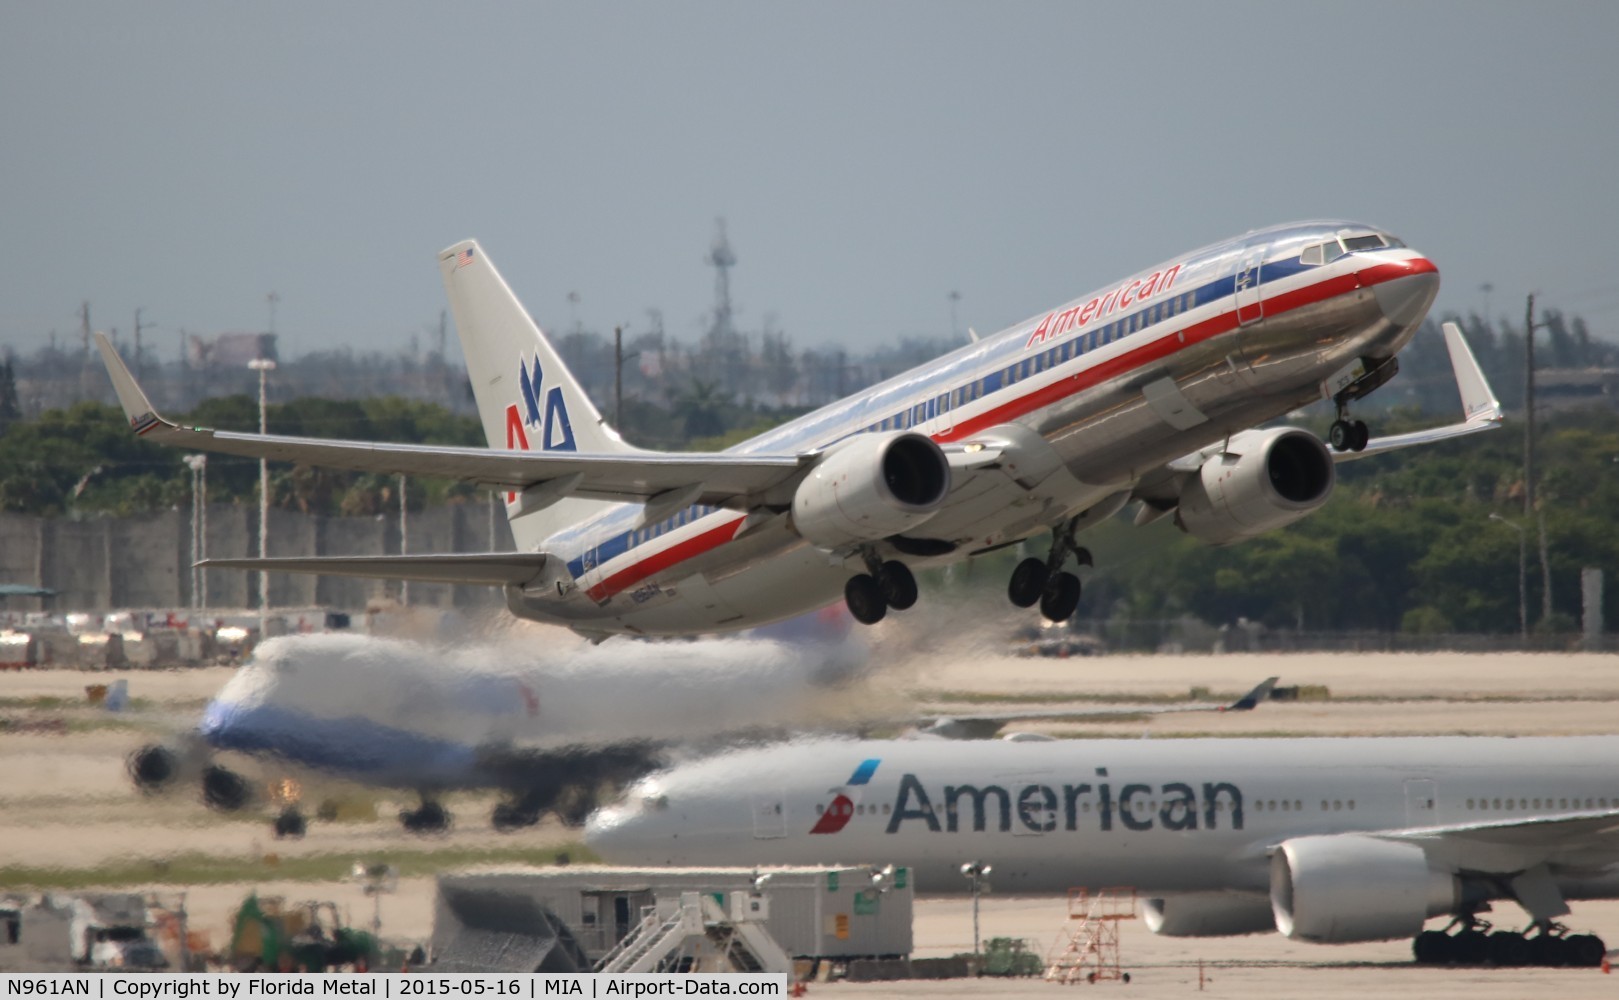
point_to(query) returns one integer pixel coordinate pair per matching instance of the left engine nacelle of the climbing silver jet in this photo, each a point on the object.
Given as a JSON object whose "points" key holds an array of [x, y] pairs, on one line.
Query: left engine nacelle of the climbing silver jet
{"points": [[870, 488]]}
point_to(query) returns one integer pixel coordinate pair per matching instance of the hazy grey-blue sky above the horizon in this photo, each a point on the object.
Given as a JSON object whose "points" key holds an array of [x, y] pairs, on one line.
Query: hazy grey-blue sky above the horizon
{"points": [[869, 158]]}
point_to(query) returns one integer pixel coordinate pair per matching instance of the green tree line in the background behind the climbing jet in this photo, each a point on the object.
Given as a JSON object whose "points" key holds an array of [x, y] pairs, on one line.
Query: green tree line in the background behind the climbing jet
{"points": [[1408, 544]]}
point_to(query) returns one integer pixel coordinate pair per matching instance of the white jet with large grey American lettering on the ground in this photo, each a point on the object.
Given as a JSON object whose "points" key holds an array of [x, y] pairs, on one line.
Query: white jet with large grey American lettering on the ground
{"points": [[1324, 841]]}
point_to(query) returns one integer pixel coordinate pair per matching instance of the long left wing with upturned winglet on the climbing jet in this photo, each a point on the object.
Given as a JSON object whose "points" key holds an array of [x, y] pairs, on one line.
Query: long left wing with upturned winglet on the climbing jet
{"points": [[699, 478]]}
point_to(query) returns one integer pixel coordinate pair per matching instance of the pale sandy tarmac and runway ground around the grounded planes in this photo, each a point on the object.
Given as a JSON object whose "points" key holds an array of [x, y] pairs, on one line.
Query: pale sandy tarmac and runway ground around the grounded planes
{"points": [[67, 807]]}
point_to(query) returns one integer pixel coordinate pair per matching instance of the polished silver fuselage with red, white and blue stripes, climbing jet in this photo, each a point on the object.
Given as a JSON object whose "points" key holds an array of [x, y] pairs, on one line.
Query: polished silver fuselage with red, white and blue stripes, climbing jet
{"points": [[1094, 402]]}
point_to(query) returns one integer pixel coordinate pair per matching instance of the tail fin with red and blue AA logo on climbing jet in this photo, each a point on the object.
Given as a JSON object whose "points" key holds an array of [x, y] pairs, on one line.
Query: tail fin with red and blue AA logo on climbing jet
{"points": [[527, 397]]}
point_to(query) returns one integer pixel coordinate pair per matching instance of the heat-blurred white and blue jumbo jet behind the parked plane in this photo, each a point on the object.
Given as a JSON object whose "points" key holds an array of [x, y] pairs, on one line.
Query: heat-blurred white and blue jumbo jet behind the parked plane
{"points": [[548, 727]]}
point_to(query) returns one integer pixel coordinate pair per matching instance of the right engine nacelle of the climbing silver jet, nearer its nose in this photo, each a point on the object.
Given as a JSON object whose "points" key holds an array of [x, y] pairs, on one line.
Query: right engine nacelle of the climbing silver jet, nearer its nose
{"points": [[1264, 480]]}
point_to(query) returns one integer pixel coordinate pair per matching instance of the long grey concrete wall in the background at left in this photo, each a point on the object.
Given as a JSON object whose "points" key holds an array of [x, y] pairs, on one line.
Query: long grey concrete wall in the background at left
{"points": [[147, 562]]}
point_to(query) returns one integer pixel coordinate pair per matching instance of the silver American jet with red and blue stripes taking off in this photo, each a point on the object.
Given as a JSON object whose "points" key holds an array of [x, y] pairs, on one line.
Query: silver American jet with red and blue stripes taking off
{"points": [[1147, 391]]}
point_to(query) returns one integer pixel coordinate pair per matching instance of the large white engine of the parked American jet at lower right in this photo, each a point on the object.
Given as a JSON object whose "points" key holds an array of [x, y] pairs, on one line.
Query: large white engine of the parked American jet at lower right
{"points": [[1356, 889]]}
